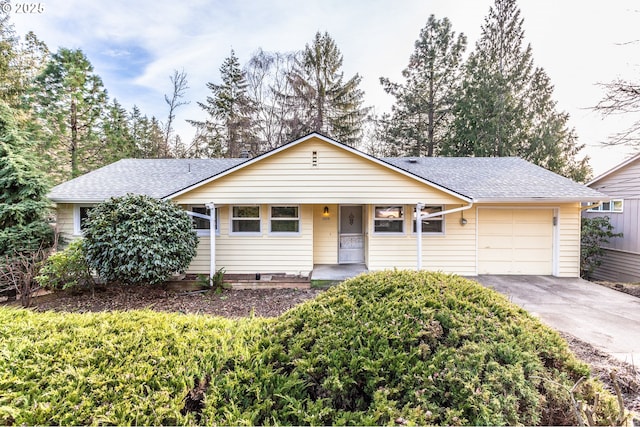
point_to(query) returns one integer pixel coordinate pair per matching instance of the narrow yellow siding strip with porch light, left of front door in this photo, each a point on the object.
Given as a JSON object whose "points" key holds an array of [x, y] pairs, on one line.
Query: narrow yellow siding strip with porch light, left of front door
{"points": [[325, 235]]}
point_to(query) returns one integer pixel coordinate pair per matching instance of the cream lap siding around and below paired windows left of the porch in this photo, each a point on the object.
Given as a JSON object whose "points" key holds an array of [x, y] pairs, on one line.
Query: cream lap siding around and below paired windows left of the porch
{"points": [[263, 253]]}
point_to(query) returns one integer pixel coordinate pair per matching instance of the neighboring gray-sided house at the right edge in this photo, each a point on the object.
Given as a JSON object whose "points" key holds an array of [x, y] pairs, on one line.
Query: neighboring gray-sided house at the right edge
{"points": [[621, 262]]}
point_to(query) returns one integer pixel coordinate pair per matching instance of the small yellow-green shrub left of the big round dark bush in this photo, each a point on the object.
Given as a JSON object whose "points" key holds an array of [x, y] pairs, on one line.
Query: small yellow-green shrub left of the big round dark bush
{"points": [[67, 269]]}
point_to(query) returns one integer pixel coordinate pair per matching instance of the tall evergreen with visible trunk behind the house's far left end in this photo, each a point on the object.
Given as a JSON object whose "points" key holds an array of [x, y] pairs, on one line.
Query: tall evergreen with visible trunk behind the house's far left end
{"points": [[71, 98]]}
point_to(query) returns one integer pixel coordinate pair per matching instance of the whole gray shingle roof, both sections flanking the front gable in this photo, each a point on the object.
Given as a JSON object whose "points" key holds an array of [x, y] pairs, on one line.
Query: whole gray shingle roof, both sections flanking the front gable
{"points": [[478, 178]]}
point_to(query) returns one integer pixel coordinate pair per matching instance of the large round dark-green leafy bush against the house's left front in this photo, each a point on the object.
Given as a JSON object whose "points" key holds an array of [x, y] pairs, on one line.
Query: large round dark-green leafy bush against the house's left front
{"points": [[138, 239]]}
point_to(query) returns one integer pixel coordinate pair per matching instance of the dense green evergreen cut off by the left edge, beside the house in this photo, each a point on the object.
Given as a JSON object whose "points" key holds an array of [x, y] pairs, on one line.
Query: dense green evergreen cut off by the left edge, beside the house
{"points": [[23, 204]]}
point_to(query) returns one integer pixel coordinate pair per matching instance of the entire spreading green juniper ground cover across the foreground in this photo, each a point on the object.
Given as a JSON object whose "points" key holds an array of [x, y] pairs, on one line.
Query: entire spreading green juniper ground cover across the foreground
{"points": [[383, 348]]}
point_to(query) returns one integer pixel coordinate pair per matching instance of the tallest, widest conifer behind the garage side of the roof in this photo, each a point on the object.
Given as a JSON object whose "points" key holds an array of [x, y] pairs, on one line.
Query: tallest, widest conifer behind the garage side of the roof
{"points": [[505, 107]]}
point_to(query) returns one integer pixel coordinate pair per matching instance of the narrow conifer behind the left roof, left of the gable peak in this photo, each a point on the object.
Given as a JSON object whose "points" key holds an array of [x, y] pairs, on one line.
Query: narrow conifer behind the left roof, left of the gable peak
{"points": [[229, 123]]}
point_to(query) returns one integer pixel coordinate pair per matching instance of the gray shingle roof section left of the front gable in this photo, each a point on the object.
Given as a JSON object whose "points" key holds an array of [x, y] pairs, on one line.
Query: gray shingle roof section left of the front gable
{"points": [[154, 177]]}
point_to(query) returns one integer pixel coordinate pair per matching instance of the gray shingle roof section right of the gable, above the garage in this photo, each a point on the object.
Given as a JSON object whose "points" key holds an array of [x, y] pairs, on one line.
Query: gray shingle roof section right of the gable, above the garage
{"points": [[495, 178]]}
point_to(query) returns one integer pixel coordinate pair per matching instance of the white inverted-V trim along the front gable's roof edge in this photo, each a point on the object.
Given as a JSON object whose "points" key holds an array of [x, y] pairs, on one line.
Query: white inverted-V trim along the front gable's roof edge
{"points": [[329, 141]]}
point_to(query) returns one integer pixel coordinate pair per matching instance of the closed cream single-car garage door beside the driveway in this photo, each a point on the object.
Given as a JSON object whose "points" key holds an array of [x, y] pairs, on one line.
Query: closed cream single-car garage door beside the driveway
{"points": [[515, 241]]}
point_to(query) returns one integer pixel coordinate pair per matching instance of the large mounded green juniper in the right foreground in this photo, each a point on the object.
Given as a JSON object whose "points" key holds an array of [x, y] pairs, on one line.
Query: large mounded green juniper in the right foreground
{"points": [[403, 347]]}
